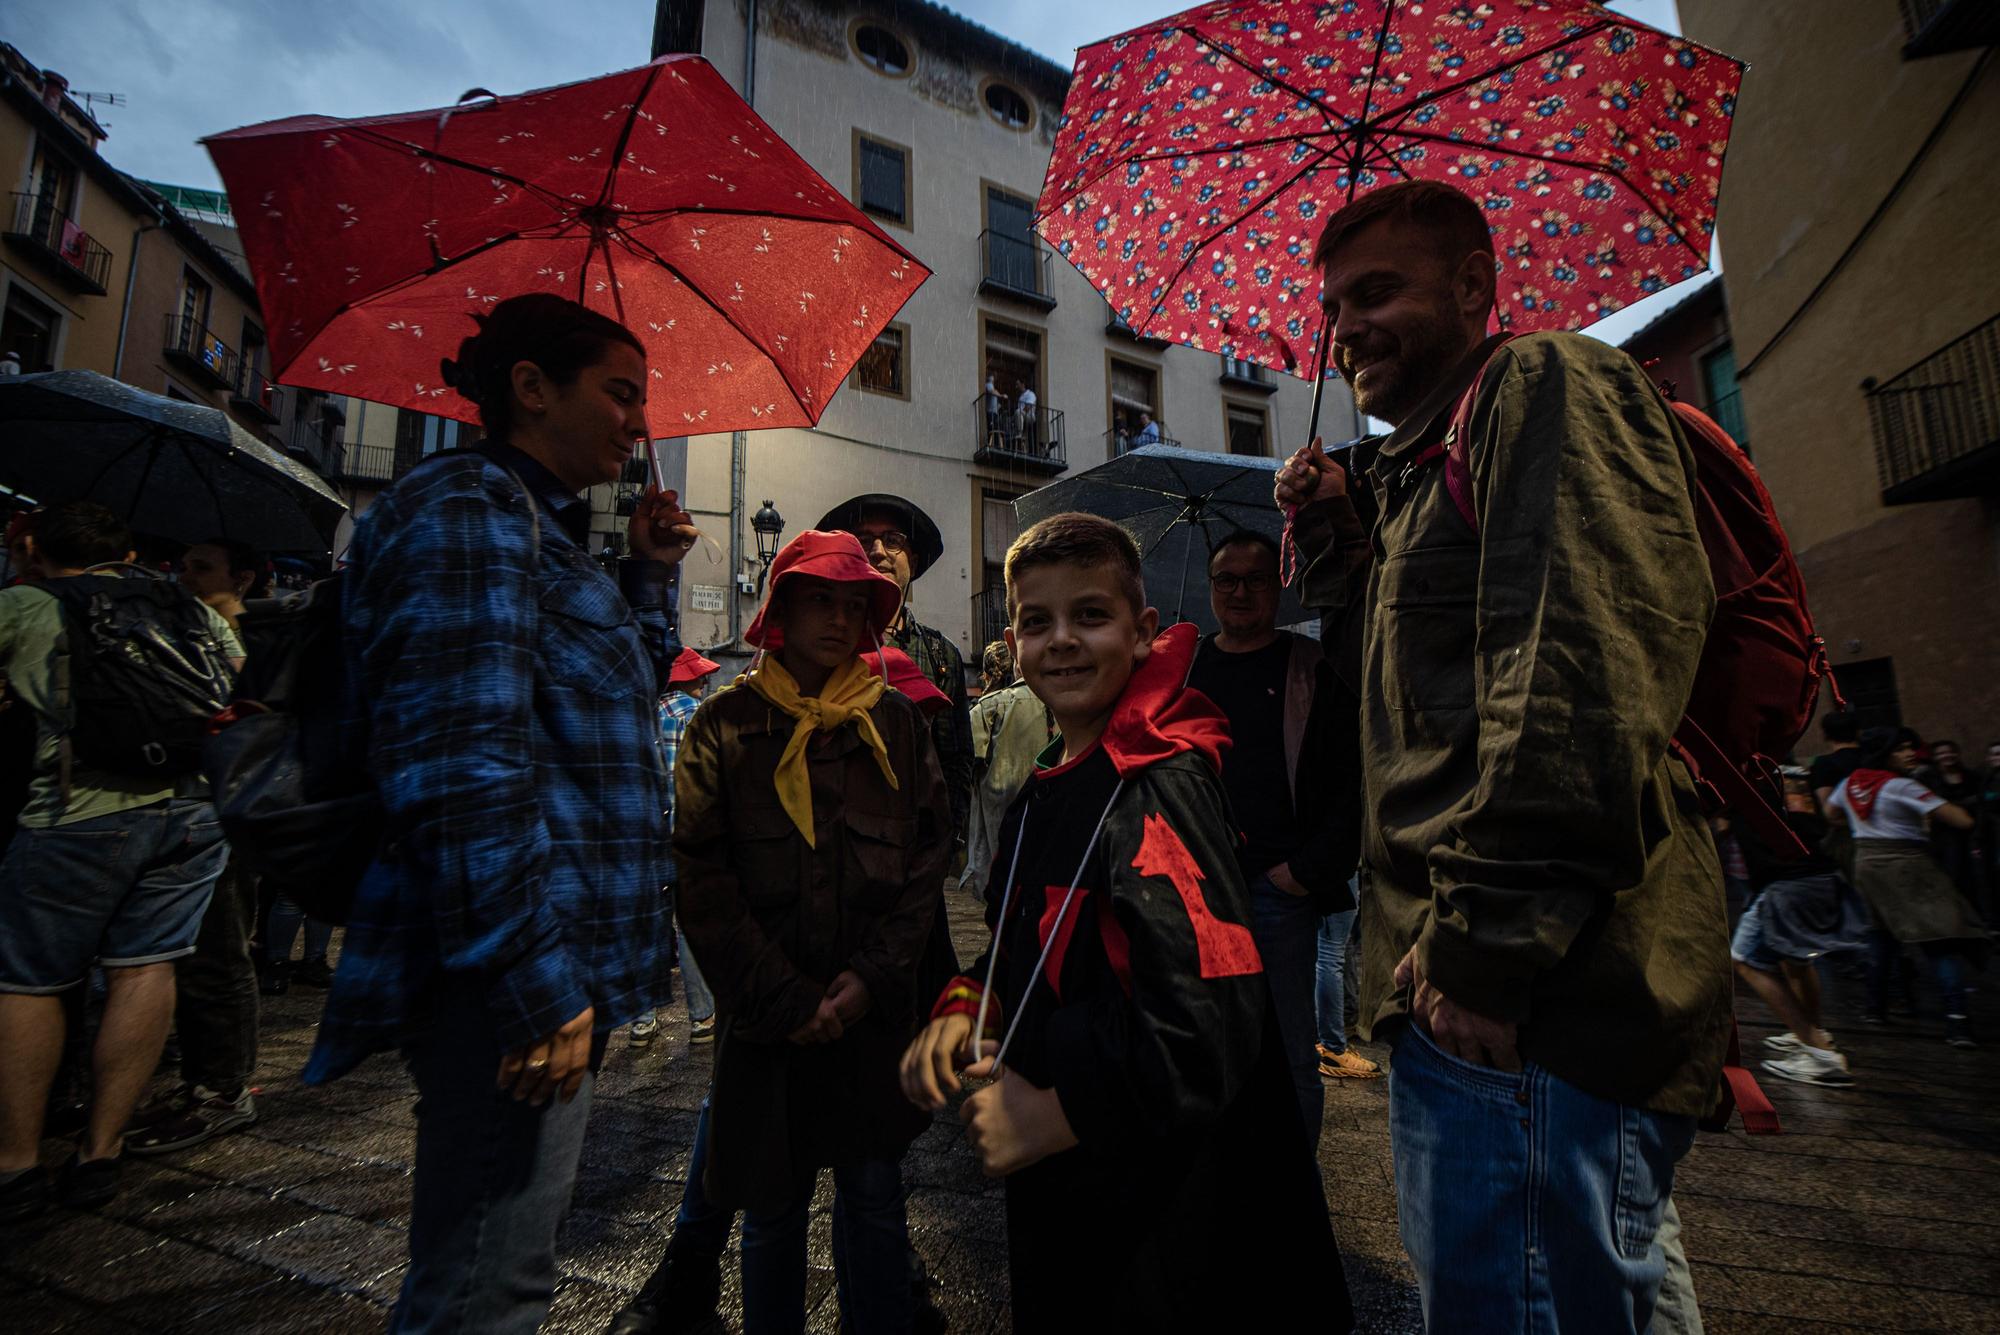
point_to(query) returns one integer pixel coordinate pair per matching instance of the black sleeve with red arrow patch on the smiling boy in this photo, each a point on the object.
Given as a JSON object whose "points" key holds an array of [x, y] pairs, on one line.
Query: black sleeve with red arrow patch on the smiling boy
{"points": [[1173, 1056]]}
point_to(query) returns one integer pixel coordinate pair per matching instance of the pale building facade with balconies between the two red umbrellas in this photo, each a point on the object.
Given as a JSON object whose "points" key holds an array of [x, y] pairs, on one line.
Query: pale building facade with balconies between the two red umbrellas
{"points": [[941, 131]]}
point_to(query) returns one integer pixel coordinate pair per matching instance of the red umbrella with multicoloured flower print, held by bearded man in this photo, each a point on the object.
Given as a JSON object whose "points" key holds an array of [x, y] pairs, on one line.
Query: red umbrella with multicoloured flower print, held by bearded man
{"points": [[1201, 155]]}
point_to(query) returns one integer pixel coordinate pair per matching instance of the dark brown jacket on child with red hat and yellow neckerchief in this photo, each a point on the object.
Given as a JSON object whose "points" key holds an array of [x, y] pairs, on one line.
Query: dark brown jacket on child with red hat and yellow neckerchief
{"points": [[773, 920]]}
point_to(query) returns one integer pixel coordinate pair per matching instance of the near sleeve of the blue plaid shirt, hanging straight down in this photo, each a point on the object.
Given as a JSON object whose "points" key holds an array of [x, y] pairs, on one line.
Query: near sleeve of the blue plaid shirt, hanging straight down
{"points": [[449, 670]]}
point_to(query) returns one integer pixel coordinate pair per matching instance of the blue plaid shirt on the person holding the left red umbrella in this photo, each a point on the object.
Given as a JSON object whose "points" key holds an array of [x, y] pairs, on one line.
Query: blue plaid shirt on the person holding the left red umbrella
{"points": [[509, 698]]}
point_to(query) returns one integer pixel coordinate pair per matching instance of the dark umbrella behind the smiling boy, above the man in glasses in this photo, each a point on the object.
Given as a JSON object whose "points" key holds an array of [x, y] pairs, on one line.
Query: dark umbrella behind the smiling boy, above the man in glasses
{"points": [[1181, 507]]}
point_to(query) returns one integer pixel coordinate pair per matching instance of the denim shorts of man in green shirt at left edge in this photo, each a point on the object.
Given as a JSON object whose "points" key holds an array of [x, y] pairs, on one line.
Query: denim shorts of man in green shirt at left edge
{"points": [[119, 890]]}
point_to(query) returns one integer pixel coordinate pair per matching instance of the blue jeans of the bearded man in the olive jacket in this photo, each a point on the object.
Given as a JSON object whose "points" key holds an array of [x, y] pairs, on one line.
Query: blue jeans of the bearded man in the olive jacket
{"points": [[1525, 1202]]}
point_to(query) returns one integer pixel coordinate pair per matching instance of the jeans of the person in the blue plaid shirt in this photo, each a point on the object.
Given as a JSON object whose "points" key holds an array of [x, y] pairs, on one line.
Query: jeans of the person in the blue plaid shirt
{"points": [[493, 1182]]}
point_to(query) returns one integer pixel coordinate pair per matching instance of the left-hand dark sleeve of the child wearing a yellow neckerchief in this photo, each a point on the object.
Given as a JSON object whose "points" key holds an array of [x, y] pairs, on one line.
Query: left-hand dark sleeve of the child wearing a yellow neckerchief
{"points": [[763, 992]]}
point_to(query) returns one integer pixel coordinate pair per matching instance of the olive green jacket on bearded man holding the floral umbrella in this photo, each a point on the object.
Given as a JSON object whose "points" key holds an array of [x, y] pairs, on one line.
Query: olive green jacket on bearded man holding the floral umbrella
{"points": [[1527, 828]]}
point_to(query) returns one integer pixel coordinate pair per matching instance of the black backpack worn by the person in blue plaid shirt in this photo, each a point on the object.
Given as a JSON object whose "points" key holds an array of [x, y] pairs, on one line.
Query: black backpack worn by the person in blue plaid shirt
{"points": [[287, 760]]}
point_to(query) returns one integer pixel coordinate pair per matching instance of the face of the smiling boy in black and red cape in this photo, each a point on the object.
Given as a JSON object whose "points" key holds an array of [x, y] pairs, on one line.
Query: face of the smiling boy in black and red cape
{"points": [[1077, 641]]}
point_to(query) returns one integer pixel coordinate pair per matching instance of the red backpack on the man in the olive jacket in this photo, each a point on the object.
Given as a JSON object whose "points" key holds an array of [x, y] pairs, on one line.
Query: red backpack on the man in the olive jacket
{"points": [[1759, 680]]}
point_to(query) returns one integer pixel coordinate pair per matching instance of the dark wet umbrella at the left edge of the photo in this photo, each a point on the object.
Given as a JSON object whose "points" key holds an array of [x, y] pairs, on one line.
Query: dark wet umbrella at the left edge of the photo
{"points": [[169, 469]]}
